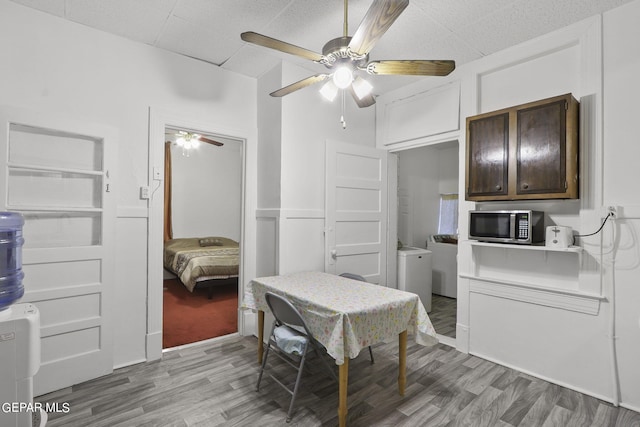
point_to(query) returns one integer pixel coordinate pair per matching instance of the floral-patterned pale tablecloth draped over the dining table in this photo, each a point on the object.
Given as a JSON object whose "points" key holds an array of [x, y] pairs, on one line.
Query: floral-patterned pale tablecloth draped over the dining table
{"points": [[346, 315]]}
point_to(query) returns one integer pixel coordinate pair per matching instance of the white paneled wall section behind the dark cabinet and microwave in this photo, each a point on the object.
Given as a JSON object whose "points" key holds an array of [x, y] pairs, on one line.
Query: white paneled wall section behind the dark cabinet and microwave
{"points": [[524, 308]]}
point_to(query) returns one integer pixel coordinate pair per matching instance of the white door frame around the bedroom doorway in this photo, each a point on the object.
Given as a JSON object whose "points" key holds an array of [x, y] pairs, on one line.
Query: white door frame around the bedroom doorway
{"points": [[159, 119]]}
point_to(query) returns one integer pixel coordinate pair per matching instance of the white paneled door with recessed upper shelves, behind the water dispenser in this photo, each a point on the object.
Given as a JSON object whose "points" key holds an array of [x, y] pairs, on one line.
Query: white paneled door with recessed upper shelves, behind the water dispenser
{"points": [[56, 173]]}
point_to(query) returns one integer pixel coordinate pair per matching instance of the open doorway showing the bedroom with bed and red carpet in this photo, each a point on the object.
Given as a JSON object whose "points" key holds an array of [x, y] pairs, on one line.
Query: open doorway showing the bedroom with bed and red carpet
{"points": [[203, 216]]}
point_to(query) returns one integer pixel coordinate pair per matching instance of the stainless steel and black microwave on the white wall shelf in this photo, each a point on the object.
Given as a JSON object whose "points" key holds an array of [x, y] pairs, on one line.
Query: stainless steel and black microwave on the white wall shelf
{"points": [[524, 227]]}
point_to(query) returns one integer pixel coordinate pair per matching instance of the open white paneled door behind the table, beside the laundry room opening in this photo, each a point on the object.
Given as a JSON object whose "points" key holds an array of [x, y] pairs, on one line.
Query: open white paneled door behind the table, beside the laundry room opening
{"points": [[356, 211]]}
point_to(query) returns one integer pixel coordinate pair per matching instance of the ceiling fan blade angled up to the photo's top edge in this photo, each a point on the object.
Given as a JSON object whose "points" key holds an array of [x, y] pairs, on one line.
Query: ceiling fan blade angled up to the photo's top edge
{"points": [[380, 16]]}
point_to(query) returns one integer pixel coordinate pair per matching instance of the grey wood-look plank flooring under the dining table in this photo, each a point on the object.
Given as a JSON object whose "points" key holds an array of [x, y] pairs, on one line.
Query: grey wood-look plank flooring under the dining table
{"points": [[213, 384]]}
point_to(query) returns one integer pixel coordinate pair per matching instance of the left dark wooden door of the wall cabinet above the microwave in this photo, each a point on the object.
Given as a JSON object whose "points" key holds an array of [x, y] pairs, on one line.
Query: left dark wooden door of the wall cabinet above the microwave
{"points": [[488, 156]]}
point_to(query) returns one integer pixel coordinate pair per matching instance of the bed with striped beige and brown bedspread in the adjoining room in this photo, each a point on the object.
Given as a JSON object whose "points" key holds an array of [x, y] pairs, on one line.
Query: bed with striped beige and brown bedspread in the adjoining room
{"points": [[203, 262]]}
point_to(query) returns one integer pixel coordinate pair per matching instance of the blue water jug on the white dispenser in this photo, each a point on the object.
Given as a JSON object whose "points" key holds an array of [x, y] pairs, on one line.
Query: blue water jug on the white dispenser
{"points": [[11, 274]]}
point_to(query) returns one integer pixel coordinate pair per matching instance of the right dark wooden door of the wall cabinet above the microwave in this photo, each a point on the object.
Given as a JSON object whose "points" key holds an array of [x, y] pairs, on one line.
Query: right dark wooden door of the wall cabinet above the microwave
{"points": [[541, 149]]}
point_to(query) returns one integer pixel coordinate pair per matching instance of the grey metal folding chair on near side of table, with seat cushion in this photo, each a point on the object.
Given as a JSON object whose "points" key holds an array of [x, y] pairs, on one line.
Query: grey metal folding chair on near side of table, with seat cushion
{"points": [[291, 340]]}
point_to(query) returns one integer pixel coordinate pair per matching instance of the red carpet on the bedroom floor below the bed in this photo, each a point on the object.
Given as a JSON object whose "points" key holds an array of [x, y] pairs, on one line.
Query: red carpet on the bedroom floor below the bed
{"points": [[190, 317]]}
